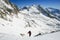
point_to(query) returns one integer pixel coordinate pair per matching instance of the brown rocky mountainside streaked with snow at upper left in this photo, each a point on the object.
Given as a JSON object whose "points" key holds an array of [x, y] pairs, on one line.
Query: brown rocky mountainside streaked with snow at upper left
{"points": [[7, 8]]}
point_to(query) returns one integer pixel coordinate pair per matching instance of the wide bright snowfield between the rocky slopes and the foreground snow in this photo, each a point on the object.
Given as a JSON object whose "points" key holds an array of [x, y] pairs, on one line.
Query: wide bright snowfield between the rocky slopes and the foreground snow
{"points": [[25, 22]]}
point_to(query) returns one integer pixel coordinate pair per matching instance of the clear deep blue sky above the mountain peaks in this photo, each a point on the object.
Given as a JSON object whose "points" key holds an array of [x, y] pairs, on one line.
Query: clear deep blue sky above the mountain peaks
{"points": [[43, 3]]}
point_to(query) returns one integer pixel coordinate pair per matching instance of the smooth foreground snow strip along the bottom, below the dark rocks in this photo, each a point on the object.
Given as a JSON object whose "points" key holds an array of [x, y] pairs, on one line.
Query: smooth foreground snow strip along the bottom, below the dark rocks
{"points": [[52, 36]]}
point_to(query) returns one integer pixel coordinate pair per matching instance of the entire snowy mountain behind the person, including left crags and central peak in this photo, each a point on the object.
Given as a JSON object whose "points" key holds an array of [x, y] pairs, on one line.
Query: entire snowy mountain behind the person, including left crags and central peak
{"points": [[32, 18]]}
